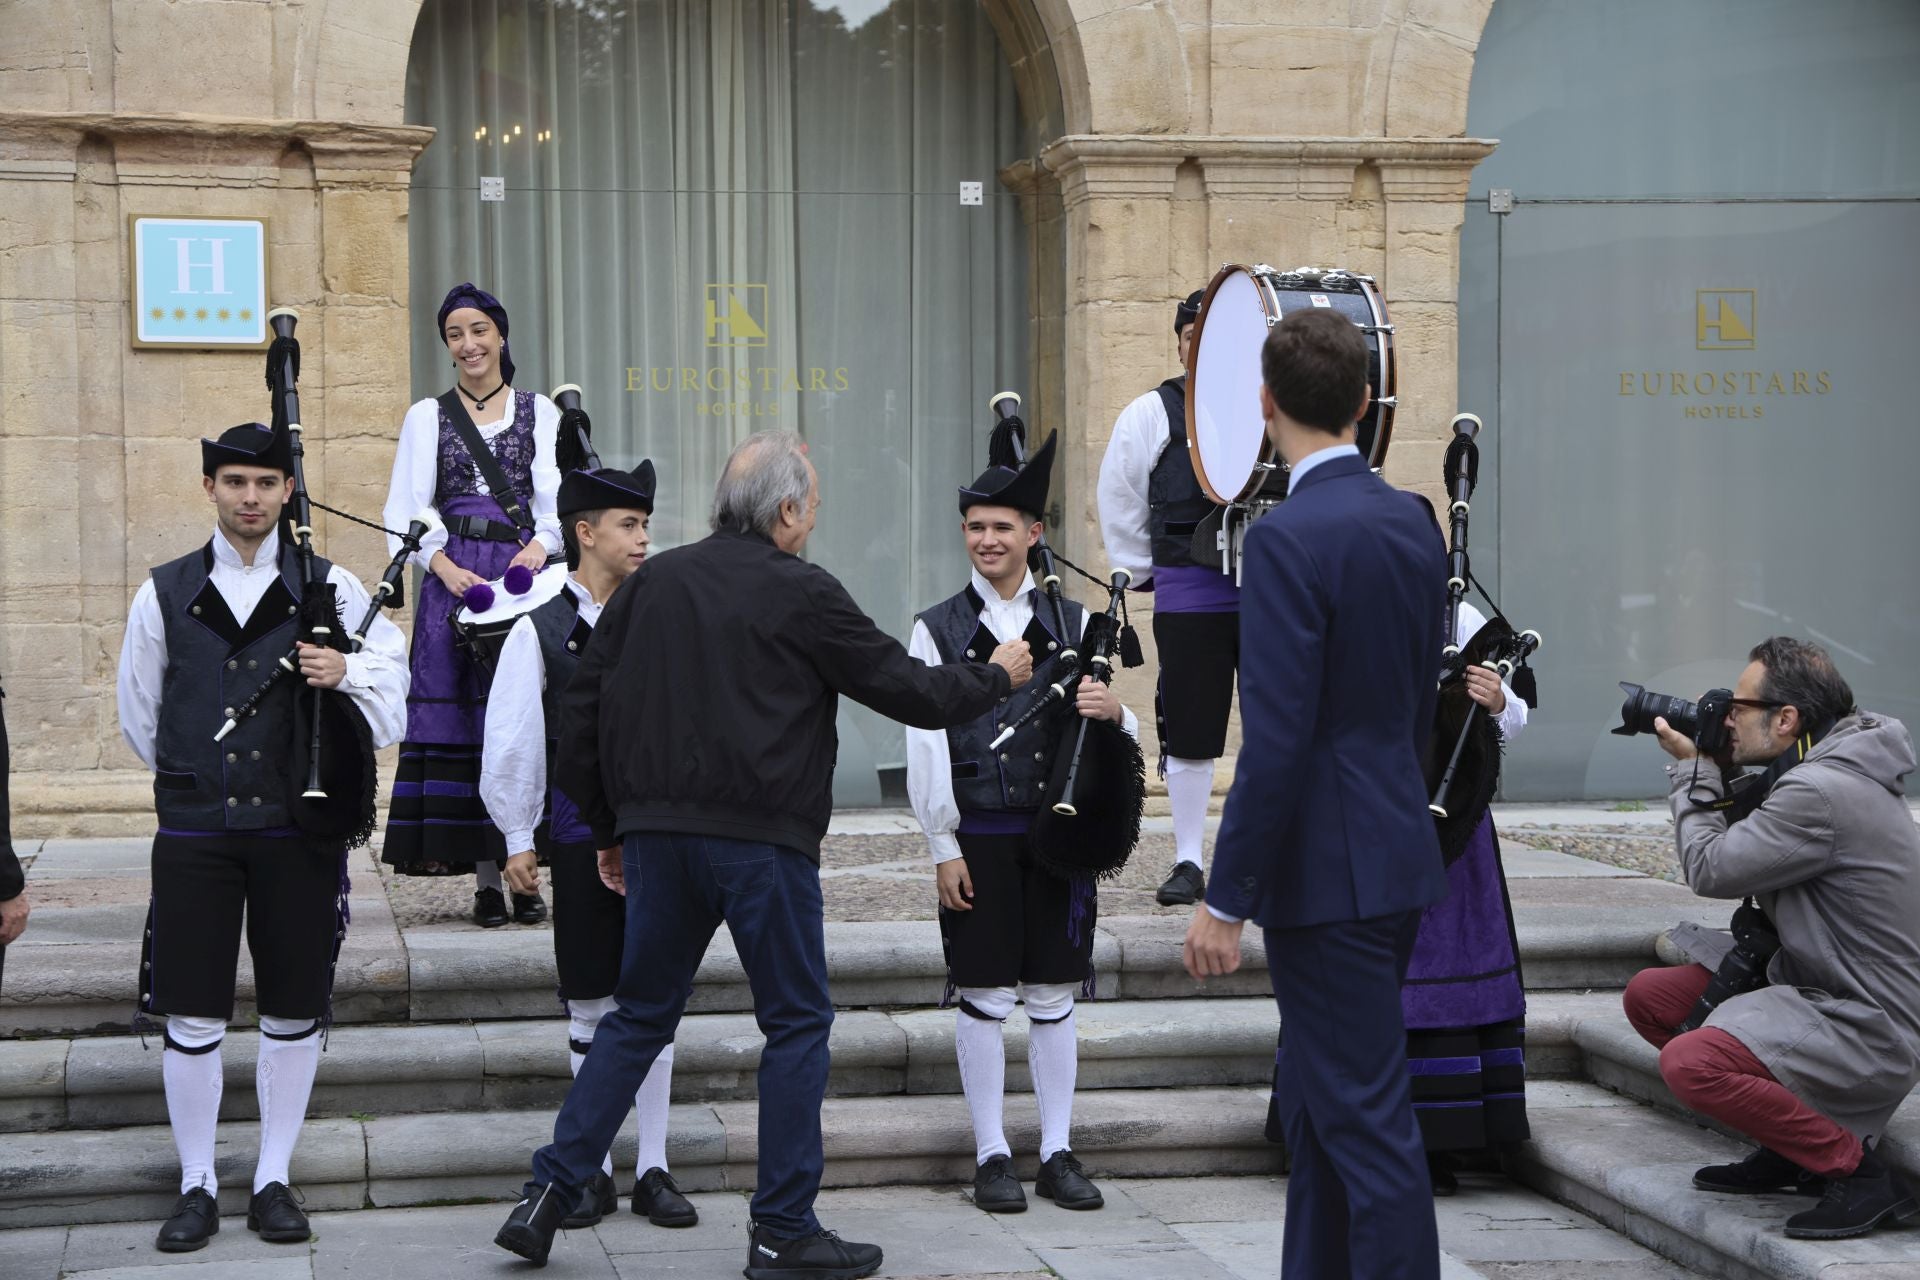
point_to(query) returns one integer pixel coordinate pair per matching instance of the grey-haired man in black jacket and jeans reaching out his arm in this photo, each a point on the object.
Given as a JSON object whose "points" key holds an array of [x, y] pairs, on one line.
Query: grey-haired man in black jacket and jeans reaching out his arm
{"points": [[698, 742]]}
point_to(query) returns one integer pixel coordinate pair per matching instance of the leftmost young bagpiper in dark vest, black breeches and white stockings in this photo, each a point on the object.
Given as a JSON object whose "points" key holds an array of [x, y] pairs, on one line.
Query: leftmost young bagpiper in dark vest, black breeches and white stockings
{"points": [[203, 636]]}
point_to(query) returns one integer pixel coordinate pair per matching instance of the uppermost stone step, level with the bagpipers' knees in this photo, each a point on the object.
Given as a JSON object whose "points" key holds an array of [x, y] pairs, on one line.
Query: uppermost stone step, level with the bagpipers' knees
{"points": [[74, 972]]}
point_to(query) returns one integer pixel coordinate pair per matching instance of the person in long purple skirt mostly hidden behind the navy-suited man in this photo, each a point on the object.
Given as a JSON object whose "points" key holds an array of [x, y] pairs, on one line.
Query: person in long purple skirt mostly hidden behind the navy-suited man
{"points": [[1464, 999]]}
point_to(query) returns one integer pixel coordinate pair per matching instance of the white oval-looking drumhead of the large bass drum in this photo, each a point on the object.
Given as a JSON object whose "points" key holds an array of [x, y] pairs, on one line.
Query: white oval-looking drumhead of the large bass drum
{"points": [[1224, 389]]}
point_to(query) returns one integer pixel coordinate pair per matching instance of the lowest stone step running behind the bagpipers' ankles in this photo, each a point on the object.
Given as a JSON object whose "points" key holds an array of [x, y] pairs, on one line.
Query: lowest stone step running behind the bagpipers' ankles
{"points": [[412, 1160]]}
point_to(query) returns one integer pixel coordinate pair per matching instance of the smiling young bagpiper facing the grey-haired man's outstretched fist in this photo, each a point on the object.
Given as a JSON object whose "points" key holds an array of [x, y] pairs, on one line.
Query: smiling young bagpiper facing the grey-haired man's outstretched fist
{"points": [[1007, 922]]}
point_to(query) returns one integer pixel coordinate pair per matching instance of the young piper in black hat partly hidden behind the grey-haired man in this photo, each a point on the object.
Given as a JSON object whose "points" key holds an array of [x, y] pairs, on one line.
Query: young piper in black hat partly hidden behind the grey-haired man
{"points": [[604, 523]]}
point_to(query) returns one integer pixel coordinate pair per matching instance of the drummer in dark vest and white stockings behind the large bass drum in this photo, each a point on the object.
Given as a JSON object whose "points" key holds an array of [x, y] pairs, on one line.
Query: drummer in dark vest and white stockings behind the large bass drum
{"points": [[1149, 510]]}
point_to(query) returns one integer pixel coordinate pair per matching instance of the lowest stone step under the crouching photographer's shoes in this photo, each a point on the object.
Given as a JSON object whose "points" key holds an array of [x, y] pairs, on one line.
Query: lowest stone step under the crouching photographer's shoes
{"points": [[1631, 1166]]}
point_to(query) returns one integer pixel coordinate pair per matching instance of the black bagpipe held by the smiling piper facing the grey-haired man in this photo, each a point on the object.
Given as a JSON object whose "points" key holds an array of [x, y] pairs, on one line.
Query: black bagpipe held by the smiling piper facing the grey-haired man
{"points": [[1090, 818]]}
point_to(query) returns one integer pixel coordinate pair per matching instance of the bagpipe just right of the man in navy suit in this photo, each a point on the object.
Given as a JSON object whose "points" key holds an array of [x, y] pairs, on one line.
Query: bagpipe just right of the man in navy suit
{"points": [[1464, 755]]}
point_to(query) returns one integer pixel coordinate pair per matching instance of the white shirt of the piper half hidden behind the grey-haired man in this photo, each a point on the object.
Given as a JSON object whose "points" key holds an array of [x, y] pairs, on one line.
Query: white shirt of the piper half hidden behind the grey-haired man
{"points": [[514, 753]]}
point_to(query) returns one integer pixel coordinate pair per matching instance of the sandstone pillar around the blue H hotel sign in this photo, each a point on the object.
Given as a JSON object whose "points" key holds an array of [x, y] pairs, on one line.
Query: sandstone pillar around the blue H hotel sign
{"points": [[101, 442]]}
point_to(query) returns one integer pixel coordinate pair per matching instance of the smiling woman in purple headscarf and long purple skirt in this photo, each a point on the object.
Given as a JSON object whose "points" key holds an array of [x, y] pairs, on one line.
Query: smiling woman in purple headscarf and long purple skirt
{"points": [[479, 465]]}
